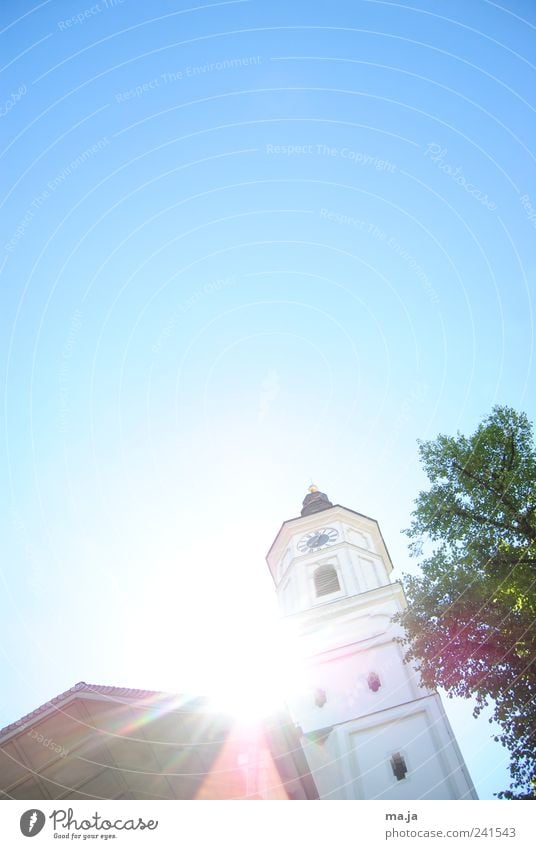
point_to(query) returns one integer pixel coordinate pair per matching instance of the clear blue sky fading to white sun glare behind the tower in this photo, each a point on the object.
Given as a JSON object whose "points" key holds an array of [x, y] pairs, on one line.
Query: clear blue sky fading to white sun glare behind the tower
{"points": [[244, 244]]}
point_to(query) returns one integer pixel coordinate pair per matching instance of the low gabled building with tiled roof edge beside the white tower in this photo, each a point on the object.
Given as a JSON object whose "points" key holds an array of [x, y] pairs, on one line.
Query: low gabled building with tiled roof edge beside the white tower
{"points": [[95, 741]]}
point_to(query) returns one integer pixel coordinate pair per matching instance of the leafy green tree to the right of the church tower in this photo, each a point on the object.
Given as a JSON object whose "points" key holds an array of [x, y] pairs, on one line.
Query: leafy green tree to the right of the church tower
{"points": [[471, 618]]}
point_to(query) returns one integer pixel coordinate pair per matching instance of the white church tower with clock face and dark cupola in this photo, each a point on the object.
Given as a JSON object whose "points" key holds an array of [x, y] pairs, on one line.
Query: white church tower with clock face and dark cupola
{"points": [[370, 730]]}
